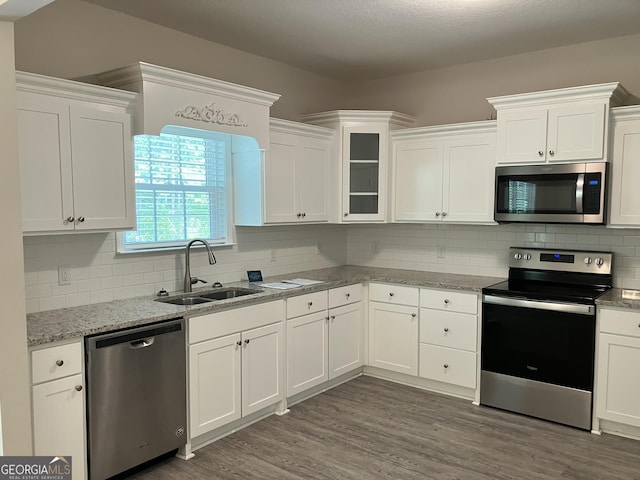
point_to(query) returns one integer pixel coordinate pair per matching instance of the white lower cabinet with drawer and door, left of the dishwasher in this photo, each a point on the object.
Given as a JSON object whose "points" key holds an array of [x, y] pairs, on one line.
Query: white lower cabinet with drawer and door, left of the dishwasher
{"points": [[58, 402]]}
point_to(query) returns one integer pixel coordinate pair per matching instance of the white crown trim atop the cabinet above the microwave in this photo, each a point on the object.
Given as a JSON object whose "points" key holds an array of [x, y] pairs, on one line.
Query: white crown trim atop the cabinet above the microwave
{"points": [[613, 91]]}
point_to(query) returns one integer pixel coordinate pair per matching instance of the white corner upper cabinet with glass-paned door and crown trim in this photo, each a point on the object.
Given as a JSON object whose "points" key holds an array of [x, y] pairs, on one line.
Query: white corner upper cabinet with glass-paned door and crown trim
{"points": [[362, 151]]}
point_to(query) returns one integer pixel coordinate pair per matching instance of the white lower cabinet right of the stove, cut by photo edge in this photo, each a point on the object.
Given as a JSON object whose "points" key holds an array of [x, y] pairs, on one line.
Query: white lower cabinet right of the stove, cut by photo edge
{"points": [[618, 381]]}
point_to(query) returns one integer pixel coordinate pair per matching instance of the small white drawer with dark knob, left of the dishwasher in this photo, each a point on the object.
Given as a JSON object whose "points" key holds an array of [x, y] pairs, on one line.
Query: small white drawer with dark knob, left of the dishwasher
{"points": [[56, 362]]}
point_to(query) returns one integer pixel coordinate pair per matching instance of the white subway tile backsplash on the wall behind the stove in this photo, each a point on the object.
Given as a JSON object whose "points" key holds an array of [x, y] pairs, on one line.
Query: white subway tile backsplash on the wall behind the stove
{"points": [[482, 250]]}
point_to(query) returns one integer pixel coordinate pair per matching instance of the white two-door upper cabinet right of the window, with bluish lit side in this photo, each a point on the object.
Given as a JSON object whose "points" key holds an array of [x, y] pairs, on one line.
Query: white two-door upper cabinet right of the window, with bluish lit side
{"points": [[294, 183]]}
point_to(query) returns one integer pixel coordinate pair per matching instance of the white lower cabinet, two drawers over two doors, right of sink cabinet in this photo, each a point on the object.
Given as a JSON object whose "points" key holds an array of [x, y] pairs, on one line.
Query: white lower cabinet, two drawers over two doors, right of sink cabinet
{"points": [[327, 342]]}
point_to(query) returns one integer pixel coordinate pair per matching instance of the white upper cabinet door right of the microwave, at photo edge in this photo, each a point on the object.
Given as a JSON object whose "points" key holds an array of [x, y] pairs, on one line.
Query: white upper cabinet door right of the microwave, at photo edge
{"points": [[625, 172]]}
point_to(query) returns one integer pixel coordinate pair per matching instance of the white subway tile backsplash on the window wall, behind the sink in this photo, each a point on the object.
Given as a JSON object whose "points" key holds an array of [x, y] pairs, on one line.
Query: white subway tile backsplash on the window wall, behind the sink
{"points": [[98, 274]]}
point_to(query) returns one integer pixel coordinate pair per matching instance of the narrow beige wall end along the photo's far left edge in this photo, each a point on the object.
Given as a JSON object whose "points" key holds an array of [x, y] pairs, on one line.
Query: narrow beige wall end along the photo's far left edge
{"points": [[14, 373]]}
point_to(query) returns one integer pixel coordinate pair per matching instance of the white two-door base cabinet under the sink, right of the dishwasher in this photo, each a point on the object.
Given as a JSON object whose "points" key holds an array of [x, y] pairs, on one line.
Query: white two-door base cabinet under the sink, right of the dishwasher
{"points": [[232, 375]]}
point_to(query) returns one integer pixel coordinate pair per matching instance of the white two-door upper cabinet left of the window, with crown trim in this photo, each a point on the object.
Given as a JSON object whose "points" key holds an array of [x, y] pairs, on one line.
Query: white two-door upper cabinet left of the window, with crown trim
{"points": [[76, 156]]}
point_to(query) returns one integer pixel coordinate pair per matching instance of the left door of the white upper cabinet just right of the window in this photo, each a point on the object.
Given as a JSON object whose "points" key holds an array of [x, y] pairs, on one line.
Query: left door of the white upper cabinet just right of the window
{"points": [[281, 203]]}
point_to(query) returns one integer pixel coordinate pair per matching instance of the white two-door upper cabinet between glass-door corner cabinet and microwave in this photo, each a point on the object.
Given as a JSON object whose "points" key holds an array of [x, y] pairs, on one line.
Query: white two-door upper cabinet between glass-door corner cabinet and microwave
{"points": [[444, 173]]}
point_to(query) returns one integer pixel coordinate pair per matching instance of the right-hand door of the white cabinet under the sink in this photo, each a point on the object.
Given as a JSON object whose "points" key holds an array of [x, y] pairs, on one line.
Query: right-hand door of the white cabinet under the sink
{"points": [[262, 366]]}
